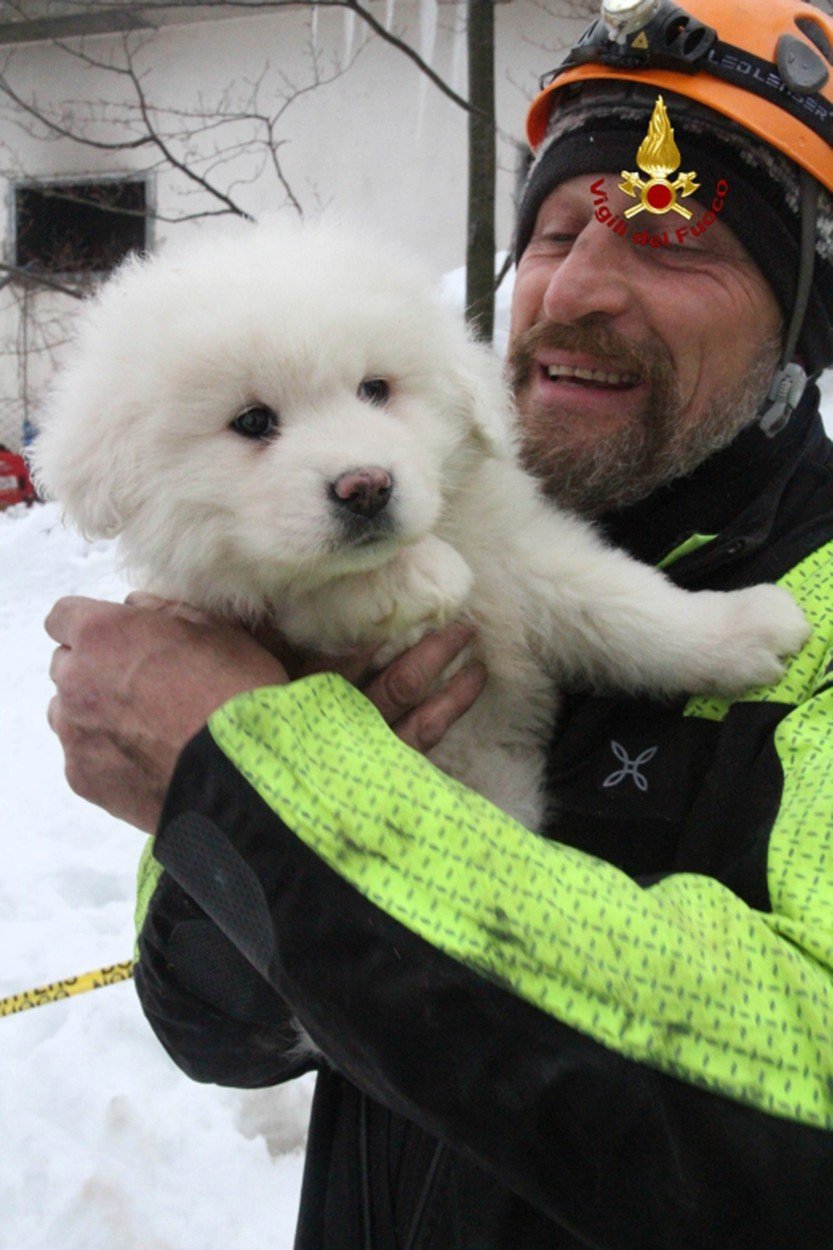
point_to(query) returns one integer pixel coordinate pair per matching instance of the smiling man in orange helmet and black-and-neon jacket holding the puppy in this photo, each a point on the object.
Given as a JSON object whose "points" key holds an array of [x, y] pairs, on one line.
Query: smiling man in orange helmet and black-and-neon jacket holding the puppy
{"points": [[618, 1037]]}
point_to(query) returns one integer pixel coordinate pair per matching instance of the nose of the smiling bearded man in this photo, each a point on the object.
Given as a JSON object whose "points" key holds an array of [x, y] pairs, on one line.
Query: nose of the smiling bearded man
{"points": [[595, 277]]}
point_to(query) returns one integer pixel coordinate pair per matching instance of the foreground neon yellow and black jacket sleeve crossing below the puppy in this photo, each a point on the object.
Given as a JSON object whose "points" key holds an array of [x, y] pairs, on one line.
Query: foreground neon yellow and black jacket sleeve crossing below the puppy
{"points": [[649, 1064]]}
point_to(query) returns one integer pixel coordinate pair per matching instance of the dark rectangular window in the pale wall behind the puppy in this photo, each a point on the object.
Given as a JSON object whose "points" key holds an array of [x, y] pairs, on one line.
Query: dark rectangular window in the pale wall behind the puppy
{"points": [[73, 228]]}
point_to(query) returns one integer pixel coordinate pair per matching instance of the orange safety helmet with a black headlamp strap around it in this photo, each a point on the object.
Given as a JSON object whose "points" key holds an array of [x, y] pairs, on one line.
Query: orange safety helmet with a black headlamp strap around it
{"points": [[766, 64]]}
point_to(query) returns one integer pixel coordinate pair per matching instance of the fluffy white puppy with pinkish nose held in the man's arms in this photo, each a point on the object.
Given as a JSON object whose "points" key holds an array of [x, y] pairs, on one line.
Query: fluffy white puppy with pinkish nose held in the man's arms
{"points": [[286, 424]]}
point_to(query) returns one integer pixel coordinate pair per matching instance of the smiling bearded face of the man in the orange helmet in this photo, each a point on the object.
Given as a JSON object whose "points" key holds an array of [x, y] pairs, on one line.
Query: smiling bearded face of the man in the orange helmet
{"points": [[632, 366]]}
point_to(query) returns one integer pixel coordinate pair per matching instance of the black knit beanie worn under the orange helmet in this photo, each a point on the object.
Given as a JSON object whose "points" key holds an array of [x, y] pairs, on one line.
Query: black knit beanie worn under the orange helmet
{"points": [[601, 133]]}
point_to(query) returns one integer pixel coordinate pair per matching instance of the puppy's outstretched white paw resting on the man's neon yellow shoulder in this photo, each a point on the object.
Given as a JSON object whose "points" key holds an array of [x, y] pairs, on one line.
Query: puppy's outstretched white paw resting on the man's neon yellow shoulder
{"points": [[762, 626]]}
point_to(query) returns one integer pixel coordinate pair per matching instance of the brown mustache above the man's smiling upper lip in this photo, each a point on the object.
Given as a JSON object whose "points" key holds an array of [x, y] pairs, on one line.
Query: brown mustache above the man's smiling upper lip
{"points": [[650, 358]]}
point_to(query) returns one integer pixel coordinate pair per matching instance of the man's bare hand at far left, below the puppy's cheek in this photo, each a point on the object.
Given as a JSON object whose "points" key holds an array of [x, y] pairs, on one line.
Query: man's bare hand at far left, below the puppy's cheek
{"points": [[134, 683]]}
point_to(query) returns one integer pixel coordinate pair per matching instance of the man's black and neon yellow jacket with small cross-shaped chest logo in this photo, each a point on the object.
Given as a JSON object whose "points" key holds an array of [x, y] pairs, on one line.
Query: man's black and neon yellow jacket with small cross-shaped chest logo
{"points": [[622, 1039]]}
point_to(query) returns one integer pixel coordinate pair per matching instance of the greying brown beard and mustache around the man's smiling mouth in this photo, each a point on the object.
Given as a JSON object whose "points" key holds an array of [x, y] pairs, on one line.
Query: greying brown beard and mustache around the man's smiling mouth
{"points": [[655, 448]]}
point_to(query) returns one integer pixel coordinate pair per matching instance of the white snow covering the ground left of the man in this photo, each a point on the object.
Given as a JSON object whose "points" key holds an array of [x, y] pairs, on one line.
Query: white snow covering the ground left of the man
{"points": [[106, 1146]]}
